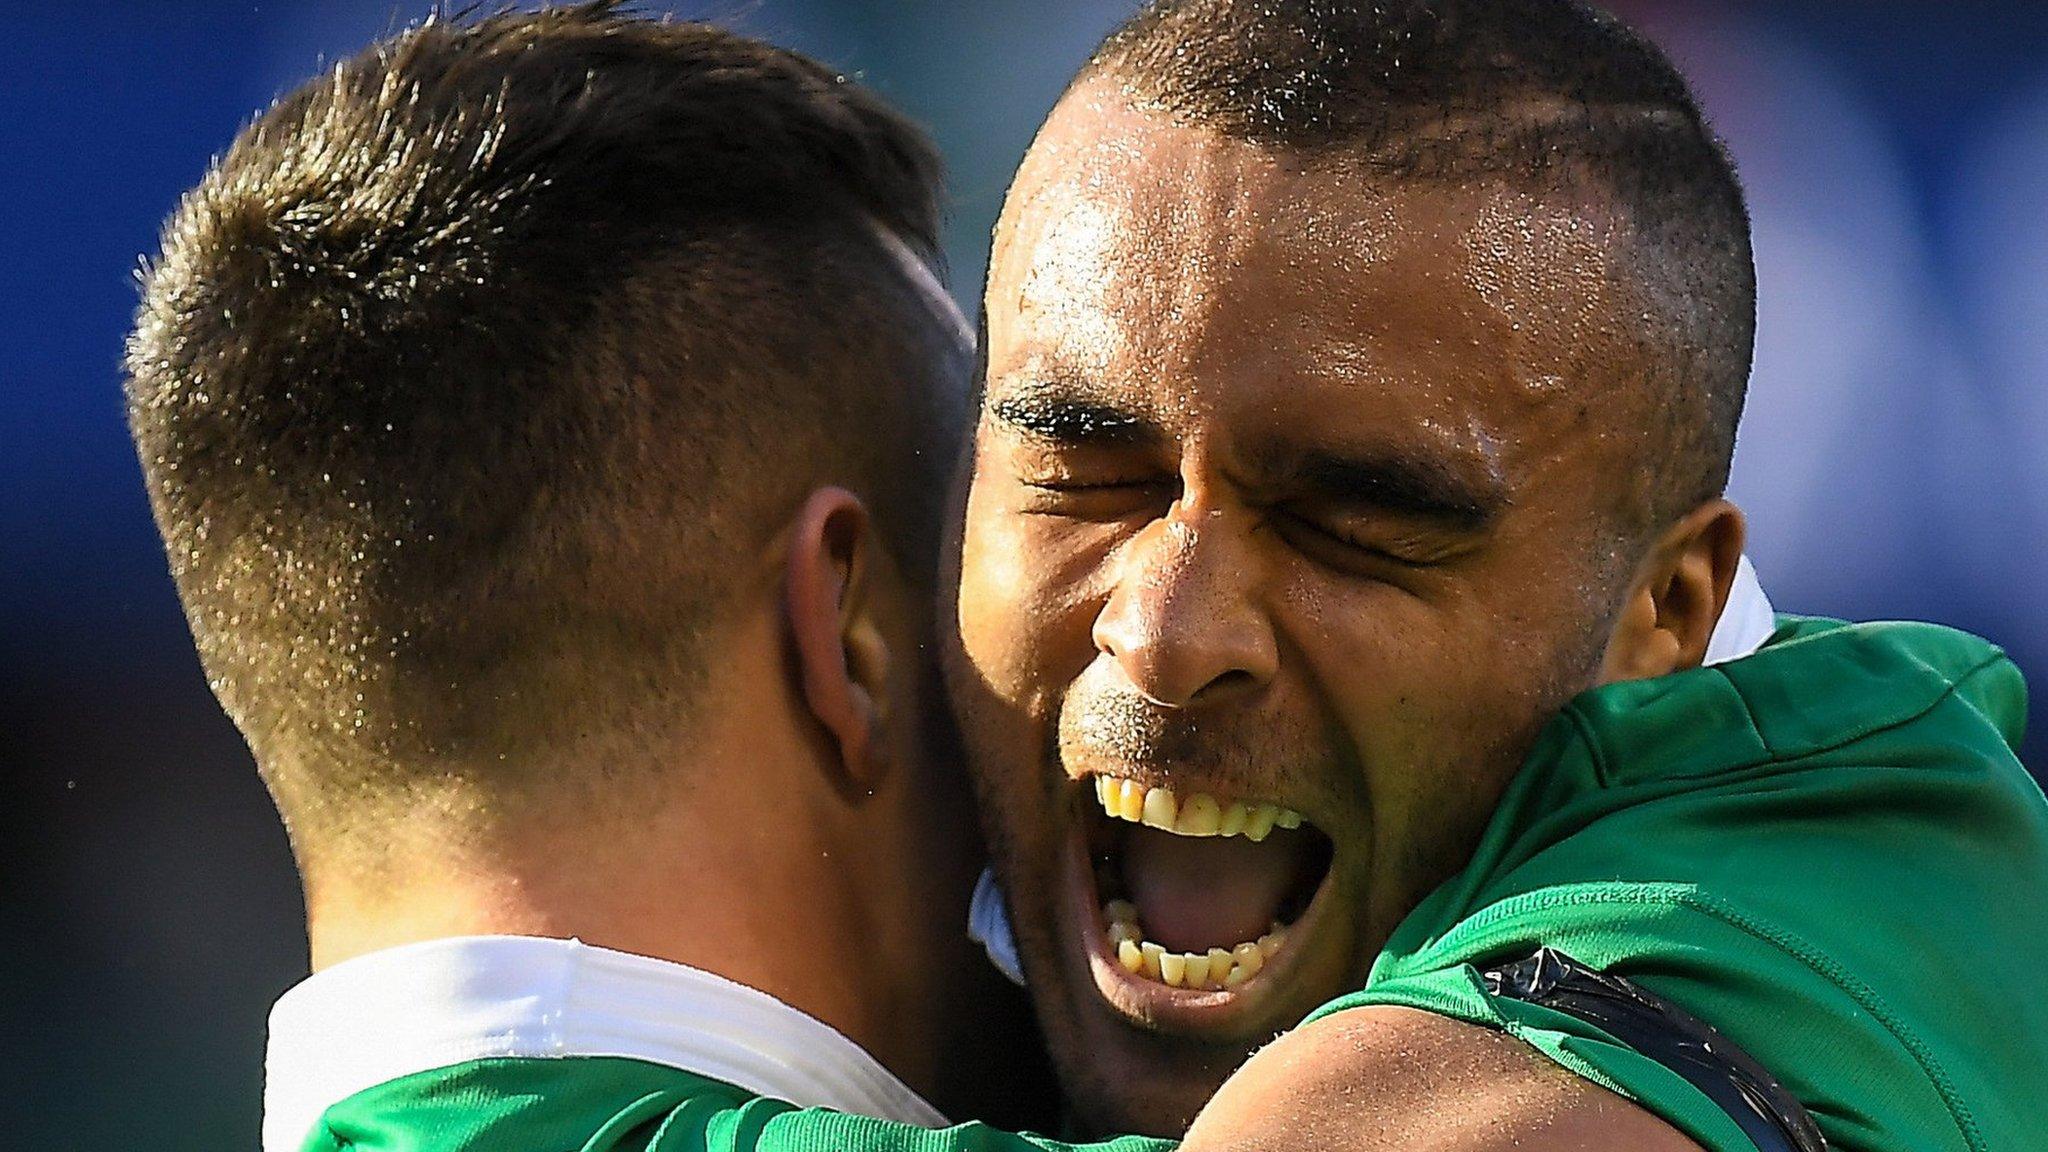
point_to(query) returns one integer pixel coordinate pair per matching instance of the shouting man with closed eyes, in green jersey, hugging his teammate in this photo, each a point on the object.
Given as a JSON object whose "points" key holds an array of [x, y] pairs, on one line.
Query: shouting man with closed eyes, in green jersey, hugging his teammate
{"points": [[1345, 546]]}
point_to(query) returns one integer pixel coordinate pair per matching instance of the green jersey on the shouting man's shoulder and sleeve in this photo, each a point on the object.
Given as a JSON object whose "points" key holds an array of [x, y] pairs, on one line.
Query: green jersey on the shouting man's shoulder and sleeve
{"points": [[1828, 852]]}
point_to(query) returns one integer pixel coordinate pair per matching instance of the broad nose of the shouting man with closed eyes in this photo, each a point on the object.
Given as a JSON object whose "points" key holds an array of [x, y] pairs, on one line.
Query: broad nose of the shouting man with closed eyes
{"points": [[1185, 620]]}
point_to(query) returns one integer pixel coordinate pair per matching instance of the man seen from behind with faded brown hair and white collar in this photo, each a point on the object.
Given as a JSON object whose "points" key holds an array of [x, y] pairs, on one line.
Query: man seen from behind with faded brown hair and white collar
{"points": [[550, 419]]}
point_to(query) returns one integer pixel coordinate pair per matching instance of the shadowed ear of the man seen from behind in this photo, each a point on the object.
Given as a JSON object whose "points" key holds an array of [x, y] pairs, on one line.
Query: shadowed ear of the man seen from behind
{"points": [[843, 661]]}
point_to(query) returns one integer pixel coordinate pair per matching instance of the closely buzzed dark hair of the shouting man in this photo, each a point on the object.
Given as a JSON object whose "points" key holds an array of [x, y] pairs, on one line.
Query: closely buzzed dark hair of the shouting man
{"points": [[1543, 95]]}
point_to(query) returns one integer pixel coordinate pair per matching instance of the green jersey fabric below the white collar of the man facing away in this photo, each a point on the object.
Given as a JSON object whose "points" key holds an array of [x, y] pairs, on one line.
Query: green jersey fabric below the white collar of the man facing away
{"points": [[599, 1104]]}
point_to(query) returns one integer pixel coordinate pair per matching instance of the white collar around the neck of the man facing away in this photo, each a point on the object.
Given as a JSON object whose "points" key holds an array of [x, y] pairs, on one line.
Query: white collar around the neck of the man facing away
{"points": [[439, 1003]]}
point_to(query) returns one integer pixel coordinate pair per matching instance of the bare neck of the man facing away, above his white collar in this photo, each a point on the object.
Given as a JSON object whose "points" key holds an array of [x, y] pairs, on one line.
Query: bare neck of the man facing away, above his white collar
{"points": [[744, 870]]}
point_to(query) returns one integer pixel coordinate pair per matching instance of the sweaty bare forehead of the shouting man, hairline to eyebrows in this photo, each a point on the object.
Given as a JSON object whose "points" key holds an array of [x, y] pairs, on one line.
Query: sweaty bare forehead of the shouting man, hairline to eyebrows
{"points": [[1179, 270]]}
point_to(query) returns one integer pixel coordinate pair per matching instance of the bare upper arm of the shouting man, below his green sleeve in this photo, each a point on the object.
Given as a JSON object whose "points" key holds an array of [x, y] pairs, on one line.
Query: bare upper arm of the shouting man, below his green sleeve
{"points": [[1381, 1079]]}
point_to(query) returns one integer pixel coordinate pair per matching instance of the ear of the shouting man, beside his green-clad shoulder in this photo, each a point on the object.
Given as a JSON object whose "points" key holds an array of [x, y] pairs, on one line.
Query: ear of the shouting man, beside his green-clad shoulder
{"points": [[1678, 595]]}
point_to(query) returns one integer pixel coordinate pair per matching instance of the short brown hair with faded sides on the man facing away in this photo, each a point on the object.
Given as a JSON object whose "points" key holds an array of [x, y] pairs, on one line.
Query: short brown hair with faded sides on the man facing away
{"points": [[478, 370]]}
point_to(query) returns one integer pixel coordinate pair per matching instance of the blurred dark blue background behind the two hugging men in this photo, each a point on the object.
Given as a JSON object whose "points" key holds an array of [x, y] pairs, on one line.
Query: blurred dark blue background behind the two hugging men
{"points": [[1893, 456]]}
